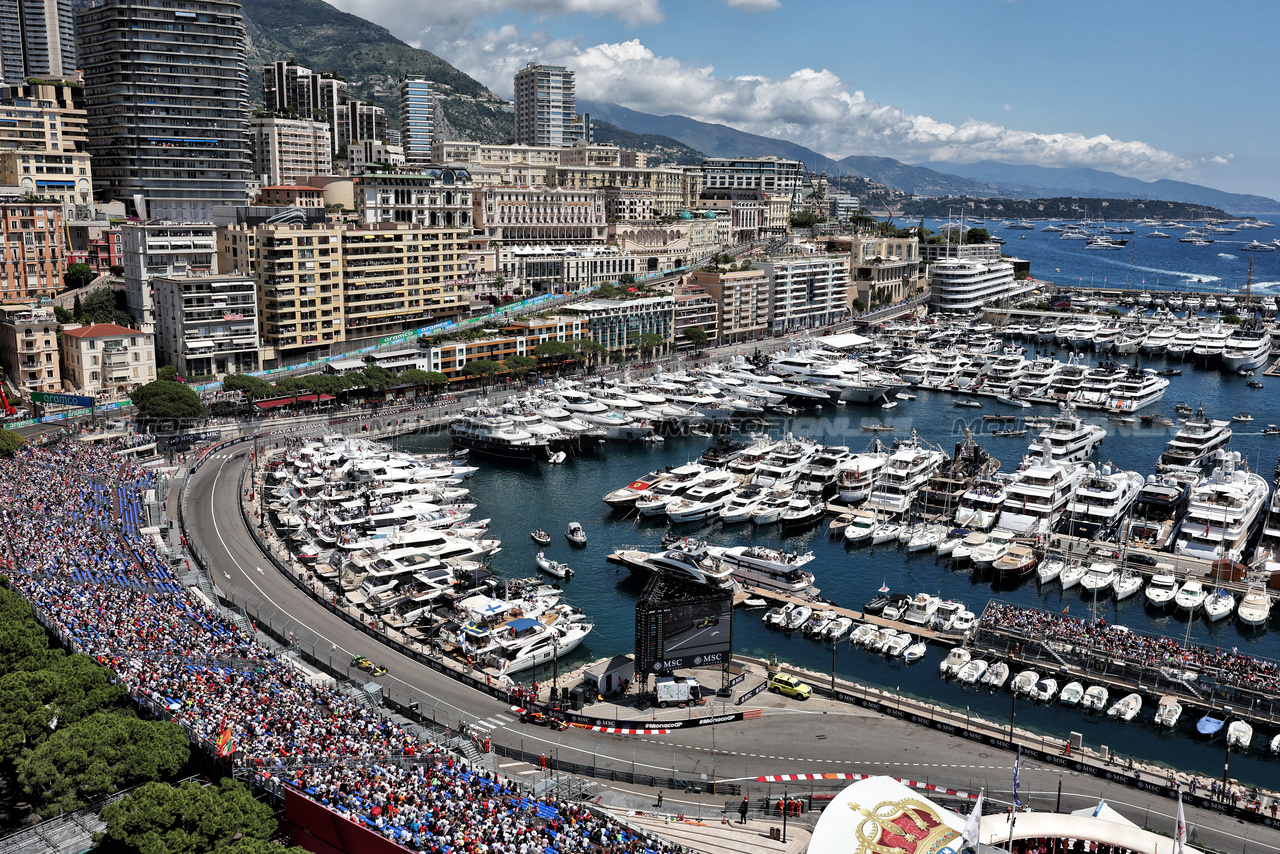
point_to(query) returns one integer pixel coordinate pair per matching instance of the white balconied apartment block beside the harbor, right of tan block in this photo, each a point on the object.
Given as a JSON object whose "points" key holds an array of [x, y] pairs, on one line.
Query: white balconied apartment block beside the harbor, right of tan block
{"points": [[808, 291]]}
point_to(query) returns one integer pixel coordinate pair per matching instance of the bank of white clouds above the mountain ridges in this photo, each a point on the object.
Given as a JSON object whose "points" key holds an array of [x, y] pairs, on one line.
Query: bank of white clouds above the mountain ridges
{"points": [[812, 107]]}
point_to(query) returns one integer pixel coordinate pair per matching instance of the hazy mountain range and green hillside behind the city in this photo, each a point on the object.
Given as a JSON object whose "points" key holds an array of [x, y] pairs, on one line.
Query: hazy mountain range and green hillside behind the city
{"points": [[373, 61]]}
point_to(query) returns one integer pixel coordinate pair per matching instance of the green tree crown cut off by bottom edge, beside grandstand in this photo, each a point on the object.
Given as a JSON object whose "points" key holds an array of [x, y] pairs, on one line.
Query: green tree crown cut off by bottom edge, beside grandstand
{"points": [[190, 819]]}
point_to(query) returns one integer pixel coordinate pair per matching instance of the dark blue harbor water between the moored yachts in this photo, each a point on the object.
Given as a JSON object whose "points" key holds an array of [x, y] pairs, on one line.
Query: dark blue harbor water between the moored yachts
{"points": [[520, 499]]}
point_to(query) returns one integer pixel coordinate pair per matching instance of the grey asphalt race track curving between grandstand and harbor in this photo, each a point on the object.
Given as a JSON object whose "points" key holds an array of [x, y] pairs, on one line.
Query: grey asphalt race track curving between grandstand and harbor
{"points": [[793, 738]]}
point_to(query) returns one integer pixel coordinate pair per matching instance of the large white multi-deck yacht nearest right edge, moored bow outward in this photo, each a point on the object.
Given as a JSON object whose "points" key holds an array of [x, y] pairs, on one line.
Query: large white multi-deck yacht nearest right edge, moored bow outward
{"points": [[1224, 512]]}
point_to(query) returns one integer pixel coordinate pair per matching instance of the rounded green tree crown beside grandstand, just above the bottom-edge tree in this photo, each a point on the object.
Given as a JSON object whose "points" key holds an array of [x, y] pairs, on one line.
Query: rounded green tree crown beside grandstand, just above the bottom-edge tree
{"points": [[95, 757]]}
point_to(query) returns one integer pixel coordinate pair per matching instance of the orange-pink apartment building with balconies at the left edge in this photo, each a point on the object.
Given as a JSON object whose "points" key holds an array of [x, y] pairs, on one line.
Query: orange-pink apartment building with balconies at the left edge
{"points": [[33, 249]]}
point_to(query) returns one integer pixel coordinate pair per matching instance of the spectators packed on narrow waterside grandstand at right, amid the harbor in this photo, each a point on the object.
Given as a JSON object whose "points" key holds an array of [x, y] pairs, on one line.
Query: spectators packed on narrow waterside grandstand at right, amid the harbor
{"points": [[1229, 666]]}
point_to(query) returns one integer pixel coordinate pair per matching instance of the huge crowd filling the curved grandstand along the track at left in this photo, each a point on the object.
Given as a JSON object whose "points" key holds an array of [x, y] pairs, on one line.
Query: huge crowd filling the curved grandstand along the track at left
{"points": [[75, 550]]}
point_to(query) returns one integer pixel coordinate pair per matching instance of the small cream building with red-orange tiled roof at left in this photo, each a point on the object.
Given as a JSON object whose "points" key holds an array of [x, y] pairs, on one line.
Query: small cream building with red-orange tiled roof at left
{"points": [[106, 360]]}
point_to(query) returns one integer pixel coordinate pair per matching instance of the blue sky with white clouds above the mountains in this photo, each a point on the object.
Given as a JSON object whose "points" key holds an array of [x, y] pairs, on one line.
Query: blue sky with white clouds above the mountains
{"points": [[1150, 90]]}
